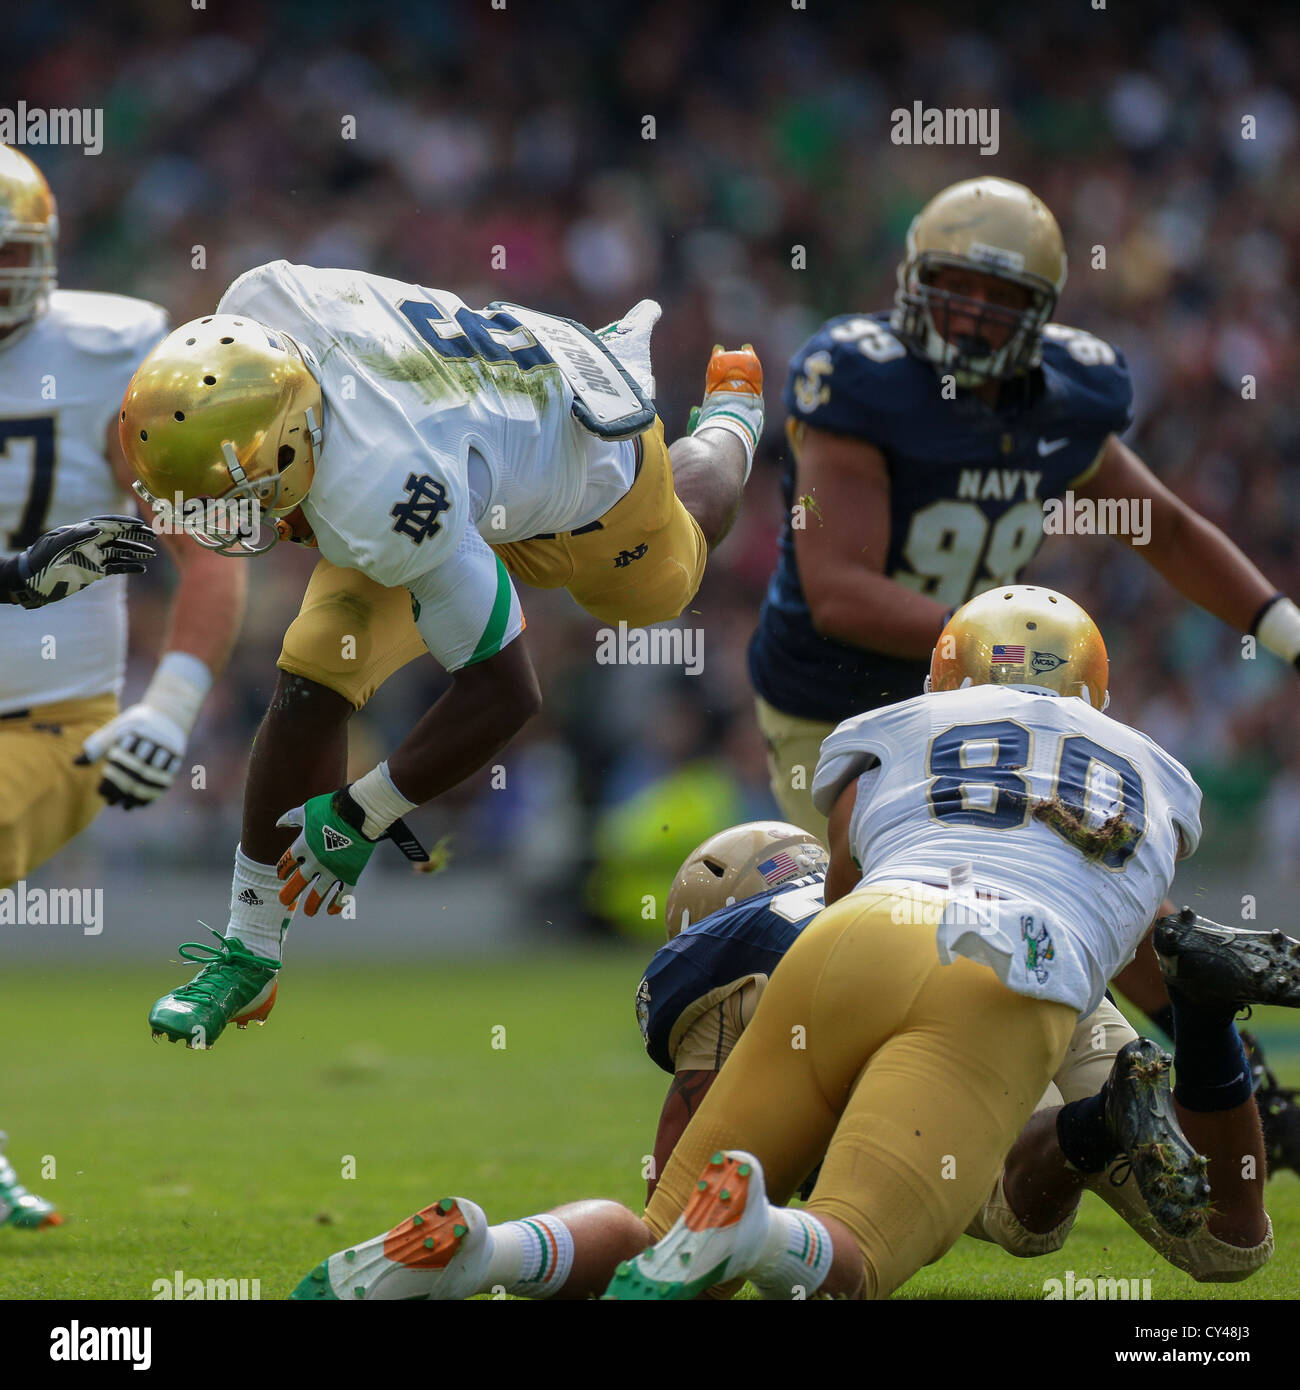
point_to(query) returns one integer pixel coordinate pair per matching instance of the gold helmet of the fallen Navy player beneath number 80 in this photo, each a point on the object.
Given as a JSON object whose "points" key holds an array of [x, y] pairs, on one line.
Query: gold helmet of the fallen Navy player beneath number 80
{"points": [[739, 864]]}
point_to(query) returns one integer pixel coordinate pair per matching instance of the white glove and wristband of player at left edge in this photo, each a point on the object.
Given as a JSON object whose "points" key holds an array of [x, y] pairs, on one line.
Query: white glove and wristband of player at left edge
{"points": [[147, 743]]}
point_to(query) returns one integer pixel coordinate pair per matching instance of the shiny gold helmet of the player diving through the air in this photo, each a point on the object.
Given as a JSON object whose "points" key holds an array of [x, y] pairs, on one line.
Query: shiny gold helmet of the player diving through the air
{"points": [[225, 411]]}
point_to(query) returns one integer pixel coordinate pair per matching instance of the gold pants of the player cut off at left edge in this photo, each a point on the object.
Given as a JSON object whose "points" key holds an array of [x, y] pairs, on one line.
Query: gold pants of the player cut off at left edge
{"points": [[45, 797]]}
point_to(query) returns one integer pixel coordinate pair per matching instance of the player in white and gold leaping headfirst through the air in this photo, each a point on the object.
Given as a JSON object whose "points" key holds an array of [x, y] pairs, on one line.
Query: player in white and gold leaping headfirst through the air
{"points": [[430, 452]]}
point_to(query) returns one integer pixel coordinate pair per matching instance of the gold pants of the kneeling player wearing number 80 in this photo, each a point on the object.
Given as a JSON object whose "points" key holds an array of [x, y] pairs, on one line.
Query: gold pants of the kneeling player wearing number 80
{"points": [[913, 1078]]}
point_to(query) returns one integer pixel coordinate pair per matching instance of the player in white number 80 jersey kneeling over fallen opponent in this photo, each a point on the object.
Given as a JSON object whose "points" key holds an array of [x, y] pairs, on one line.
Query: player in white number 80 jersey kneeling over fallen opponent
{"points": [[996, 854]]}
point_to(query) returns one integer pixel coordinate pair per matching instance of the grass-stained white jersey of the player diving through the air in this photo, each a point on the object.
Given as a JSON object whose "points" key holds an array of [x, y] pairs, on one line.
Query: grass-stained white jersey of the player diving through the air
{"points": [[441, 427]]}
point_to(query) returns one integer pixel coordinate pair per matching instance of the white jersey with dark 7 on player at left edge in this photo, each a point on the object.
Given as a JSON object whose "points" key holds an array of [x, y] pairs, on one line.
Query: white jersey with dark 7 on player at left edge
{"points": [[62, 386]]}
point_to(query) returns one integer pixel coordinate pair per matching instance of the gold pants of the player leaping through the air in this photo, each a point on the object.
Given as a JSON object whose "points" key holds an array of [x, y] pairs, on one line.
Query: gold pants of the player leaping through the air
{"points": [[640, 564]]}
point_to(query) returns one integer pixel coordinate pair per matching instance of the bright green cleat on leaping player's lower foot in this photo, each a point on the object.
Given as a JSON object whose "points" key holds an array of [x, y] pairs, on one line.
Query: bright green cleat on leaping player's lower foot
{"points": [[234, 986]]}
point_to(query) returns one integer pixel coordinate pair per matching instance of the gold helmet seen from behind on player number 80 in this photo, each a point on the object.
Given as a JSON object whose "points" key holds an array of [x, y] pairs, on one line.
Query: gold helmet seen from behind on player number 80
{"points": [[1023, 636]]}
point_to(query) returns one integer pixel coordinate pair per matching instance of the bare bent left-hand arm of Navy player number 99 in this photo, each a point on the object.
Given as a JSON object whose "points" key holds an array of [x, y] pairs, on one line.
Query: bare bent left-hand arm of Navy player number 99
{"points": [[845, 489]]}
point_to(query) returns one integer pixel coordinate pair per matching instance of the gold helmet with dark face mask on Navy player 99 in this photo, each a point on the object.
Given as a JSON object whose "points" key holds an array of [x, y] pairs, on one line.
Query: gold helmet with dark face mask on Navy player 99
{"points": [[993, 227]]}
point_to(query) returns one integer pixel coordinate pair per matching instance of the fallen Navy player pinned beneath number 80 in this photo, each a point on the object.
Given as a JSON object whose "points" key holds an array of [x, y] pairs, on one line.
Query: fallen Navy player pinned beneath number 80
{"points": [[728, 931]]}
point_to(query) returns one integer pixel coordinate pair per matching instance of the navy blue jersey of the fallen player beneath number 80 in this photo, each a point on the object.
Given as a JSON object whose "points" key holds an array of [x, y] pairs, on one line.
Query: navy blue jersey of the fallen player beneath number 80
{"points": [[747, 939]]}
